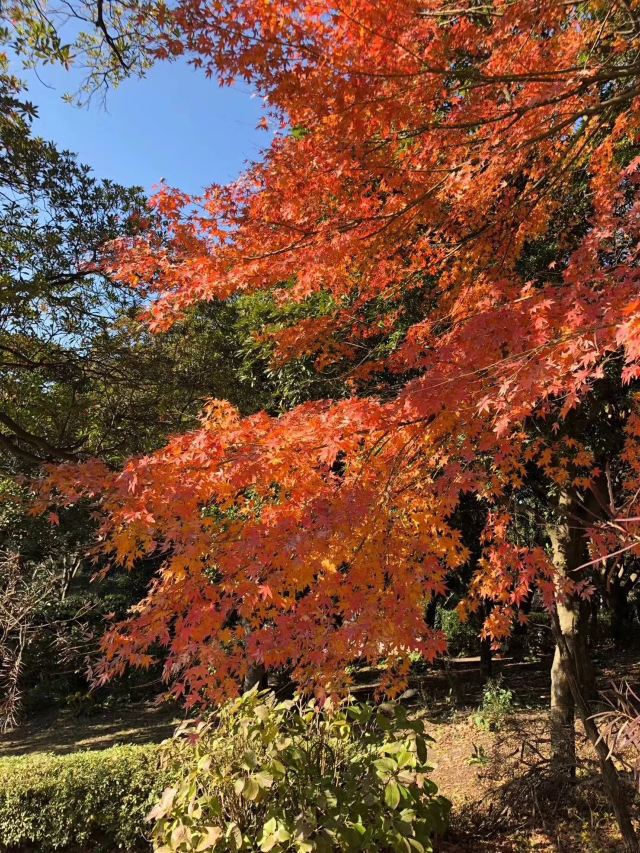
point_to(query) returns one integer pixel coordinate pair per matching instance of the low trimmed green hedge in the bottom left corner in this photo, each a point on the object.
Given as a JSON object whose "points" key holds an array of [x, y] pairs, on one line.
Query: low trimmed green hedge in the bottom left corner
{"points": [[86, 801]]}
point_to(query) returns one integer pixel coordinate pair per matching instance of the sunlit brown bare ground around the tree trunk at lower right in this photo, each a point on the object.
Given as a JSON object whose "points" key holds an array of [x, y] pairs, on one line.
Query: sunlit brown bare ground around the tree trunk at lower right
{"points": [[505, 797]]}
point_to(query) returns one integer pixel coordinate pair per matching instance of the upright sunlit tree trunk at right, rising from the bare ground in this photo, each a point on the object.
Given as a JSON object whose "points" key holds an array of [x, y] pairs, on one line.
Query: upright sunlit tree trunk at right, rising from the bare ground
{"points": [[569, 550]]}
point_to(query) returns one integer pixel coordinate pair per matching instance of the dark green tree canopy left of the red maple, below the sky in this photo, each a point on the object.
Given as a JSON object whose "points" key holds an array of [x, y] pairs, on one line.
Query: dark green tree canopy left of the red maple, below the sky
{"points": [[80, 374]]}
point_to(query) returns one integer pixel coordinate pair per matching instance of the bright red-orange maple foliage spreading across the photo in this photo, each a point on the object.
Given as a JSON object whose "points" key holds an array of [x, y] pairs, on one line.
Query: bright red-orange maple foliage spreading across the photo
{"points": [[434, 143]]}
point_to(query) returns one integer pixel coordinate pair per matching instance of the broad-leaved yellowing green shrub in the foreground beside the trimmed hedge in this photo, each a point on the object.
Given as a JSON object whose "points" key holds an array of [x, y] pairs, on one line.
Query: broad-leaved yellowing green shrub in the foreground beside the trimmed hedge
{"points": [[287, 776]]}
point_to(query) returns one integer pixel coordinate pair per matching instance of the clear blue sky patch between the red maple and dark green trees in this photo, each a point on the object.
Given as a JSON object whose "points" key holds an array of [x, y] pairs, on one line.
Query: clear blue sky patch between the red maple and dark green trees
{"points": [[174, 123]]}
